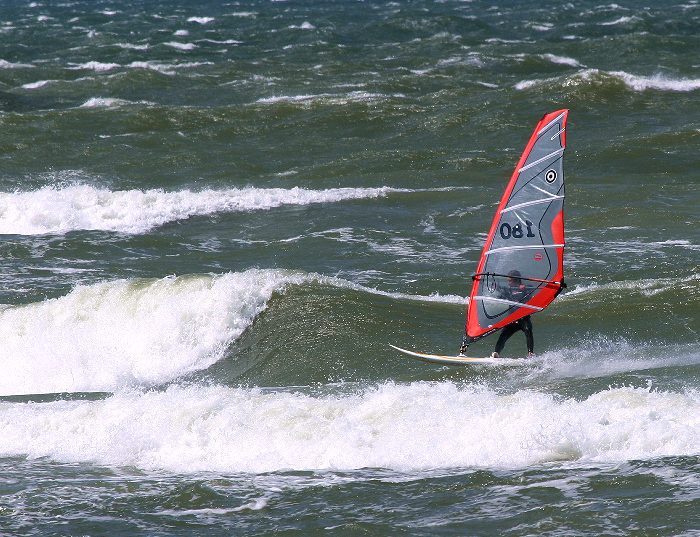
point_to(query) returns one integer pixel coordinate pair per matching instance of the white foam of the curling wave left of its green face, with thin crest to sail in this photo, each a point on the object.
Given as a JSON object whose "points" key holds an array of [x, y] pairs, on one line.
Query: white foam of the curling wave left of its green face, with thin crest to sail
{"points": [[117, 335]]}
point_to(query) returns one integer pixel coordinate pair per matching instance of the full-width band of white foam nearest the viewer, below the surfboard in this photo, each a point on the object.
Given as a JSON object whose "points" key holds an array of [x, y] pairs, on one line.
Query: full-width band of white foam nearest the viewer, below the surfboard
{"points": [[404, 427]]}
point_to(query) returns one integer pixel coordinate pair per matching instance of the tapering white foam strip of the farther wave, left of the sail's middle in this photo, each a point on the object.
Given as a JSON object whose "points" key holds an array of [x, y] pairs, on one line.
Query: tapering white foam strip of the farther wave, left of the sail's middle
{"points": [[59, 210]]}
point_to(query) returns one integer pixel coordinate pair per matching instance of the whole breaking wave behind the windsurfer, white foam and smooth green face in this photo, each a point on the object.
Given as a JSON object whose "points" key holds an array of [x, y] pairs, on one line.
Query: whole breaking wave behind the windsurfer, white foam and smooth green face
{"points": [[122, 334]]}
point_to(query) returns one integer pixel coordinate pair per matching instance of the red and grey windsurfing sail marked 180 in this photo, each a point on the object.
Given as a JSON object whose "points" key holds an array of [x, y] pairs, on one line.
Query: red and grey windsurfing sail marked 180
{"points": [[521, 269]]}
